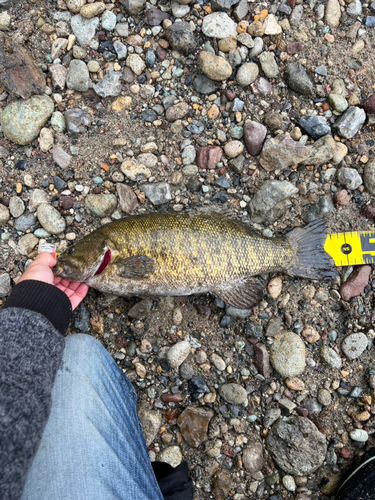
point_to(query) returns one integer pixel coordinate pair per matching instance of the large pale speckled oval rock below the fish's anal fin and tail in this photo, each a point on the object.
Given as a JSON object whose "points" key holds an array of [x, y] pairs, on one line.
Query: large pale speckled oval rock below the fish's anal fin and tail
{"points": [[288, 354]]}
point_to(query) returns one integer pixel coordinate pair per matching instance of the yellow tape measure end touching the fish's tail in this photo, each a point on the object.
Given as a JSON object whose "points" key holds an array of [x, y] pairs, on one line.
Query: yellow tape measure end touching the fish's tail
{"points": [[351, 249]]}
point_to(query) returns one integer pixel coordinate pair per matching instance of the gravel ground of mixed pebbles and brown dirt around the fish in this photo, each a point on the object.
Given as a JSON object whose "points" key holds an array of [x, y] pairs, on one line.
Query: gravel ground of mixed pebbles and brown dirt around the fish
{"points": [[263, 110]]}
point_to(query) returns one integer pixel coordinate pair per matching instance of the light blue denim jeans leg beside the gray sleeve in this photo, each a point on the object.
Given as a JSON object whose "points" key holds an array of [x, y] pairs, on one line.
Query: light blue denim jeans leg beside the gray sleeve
{"points": [[92, 447]]}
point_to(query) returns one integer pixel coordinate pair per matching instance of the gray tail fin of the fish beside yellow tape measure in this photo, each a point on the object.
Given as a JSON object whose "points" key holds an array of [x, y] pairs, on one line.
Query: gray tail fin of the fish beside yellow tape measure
{"points": [[312, 261]]}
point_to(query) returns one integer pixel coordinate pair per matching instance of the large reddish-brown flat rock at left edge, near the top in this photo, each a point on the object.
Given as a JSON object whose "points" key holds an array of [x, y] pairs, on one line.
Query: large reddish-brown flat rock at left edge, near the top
{"points": [[19, 73]]}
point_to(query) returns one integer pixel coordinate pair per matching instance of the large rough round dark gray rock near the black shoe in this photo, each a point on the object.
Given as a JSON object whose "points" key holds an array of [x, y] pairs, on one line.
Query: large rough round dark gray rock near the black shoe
{"points": [[297, 446]]}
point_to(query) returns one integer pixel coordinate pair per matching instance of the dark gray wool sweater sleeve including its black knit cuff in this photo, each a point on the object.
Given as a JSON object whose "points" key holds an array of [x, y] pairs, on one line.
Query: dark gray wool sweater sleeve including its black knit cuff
{"points": [[32, 324]]}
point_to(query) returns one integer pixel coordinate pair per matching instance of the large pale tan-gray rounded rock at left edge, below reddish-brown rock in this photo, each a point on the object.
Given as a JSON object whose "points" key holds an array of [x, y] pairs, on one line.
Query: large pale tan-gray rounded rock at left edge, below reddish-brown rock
{"points": [[22, 120]]}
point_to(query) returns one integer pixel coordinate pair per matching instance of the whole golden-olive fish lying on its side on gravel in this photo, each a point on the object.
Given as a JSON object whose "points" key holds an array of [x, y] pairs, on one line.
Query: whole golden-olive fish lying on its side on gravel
{"points": [[183, 254]]}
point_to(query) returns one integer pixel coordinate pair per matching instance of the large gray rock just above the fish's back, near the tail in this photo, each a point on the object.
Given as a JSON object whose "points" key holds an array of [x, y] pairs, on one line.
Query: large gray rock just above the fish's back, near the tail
{"points": [[271, 201]]}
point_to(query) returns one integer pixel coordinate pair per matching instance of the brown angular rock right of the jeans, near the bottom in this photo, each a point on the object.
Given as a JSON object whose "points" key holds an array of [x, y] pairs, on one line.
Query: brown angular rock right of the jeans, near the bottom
{"points": [[193, 423]]}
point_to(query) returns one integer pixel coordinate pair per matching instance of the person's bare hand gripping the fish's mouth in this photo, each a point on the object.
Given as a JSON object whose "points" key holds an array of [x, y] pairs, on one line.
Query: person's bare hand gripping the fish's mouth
{"points": [[41, 270]]}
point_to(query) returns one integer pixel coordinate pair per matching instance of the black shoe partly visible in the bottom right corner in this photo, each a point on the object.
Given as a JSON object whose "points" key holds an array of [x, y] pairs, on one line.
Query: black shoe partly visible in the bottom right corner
{"points": [[360, 484]]}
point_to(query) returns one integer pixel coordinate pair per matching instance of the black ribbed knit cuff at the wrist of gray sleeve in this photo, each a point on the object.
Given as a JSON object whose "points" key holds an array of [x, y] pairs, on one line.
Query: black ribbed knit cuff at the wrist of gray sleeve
{"points": [[45, 299]]}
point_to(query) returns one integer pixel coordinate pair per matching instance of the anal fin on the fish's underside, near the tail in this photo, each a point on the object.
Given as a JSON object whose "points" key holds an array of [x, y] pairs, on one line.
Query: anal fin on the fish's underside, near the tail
{"points": [[242, 295]]}
